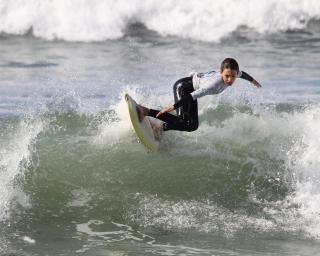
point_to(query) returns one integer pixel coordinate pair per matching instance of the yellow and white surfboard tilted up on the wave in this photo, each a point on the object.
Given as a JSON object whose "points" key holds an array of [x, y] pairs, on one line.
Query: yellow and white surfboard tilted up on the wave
{"points": [[143, 130]]}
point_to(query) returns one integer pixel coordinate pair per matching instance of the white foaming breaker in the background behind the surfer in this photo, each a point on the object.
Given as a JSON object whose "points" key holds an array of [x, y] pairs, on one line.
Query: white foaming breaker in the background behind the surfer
{"points": [[94, 20]]}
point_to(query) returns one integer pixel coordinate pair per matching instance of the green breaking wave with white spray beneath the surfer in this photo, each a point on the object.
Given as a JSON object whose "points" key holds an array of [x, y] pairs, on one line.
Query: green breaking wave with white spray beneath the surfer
{"points": [[257, 166]]}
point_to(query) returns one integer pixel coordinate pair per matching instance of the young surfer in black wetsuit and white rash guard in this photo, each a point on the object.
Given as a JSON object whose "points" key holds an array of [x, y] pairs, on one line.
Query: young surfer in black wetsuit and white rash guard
{"points": [[186, 92]]}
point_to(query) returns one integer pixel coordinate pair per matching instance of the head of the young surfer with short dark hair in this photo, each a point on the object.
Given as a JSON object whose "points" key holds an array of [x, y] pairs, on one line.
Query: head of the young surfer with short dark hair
{"points": [[229, 71]]}
